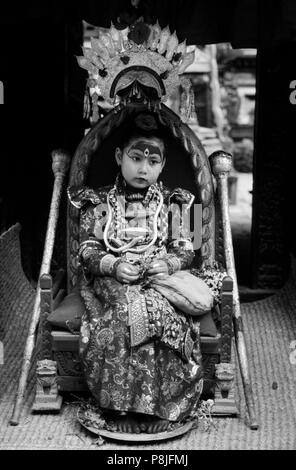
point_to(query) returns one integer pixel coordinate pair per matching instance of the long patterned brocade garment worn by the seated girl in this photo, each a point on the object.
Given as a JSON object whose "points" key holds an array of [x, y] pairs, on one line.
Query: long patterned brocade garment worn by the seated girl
{"points": [[139, 354]]}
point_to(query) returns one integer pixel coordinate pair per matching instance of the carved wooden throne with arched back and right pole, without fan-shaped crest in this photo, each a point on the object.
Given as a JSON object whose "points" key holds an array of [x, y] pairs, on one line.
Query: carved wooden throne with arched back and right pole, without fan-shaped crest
{"points": [[187, 166]]}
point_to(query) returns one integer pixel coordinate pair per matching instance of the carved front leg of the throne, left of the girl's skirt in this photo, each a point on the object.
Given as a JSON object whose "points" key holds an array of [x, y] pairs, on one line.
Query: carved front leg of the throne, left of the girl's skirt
{"points": [[47, 396]]}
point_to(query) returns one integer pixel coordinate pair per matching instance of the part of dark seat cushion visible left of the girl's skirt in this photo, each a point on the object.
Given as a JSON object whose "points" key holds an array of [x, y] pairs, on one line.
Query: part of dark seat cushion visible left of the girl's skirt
{"points": [[67, 316]]}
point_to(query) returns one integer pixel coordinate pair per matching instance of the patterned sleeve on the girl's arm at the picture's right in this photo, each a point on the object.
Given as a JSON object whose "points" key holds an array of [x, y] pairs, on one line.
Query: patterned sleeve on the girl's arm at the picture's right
{"points": [[180, 248]]}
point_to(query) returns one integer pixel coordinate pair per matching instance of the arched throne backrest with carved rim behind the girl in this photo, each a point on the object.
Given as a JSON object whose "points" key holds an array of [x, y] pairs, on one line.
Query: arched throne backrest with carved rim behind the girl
{"points": [[187, 166]]}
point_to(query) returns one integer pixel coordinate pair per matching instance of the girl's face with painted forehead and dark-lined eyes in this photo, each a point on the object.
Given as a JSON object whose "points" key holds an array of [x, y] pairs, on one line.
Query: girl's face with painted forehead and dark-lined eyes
{"points": [[141, 161]]}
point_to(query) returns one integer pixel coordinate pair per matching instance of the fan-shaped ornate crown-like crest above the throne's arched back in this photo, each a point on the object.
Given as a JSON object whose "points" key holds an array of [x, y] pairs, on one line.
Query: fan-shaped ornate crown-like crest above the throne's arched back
{"points": [[128, 64]]}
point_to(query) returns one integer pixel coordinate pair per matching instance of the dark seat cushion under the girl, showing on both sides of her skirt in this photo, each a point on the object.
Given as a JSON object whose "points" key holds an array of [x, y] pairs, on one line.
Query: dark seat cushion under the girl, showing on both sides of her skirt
{"points": [[67, 316]]}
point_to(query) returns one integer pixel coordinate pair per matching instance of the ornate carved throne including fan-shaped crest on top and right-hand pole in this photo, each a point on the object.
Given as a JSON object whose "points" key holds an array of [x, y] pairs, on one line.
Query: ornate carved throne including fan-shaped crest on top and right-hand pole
{"points": [[138, 77]]}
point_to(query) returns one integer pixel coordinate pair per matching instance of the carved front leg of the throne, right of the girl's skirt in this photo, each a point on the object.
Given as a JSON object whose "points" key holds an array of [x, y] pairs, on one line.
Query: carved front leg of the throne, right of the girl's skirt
{"points": [[224, 391]]}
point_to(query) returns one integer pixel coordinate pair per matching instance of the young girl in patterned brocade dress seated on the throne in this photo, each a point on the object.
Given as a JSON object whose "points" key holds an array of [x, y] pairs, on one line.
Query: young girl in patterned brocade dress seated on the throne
{"points": [[141, 356]]}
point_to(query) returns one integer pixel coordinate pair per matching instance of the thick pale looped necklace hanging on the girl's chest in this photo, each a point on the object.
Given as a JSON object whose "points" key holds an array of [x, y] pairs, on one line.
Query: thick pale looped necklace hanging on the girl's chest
{"points": [[115, 217]]}
